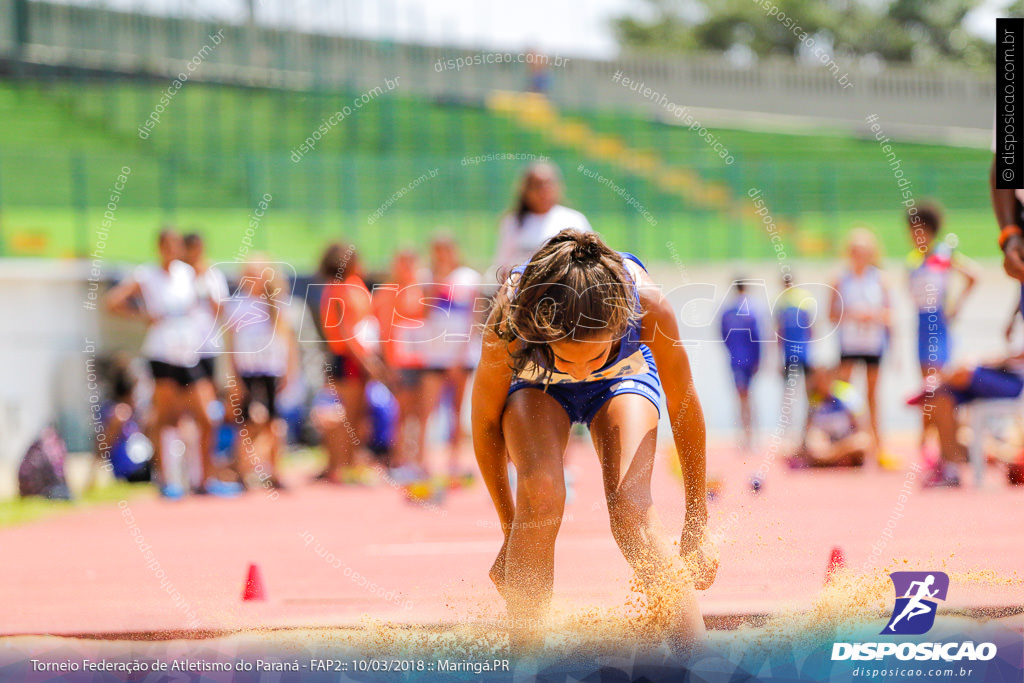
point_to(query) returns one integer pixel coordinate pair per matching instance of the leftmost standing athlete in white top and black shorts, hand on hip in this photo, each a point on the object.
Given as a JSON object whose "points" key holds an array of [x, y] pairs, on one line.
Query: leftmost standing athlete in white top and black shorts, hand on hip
{"points": [[168, 295]]}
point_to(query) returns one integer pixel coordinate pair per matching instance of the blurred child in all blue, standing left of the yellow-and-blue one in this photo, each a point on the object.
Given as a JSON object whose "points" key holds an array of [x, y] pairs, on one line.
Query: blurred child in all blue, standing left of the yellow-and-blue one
{"points": [[741, 333]]}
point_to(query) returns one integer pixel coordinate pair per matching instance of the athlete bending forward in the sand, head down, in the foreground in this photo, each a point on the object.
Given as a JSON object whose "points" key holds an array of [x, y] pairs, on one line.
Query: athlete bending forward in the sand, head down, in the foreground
{"points": [[581, 335]]}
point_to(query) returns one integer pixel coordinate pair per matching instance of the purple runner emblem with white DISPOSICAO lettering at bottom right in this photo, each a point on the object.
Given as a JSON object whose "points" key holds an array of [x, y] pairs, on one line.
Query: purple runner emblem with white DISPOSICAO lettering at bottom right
{"points": [[918, 594]]}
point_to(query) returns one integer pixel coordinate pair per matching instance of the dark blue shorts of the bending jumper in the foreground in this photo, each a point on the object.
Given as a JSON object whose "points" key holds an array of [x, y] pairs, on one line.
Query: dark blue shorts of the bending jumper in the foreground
{"points": [[582, 401]]}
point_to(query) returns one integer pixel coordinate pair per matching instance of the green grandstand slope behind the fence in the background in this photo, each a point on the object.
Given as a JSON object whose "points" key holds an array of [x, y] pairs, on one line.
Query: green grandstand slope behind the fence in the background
{"points": [[217, 151]]}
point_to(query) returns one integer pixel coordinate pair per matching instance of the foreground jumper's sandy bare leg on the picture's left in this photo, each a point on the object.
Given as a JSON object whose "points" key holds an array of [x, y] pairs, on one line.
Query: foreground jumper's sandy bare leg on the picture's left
{"points": [[537, 432]]}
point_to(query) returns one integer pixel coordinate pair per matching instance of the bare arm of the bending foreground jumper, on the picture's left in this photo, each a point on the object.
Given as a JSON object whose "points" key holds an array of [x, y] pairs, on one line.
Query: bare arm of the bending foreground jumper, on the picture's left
{"points": [[491, 387]]}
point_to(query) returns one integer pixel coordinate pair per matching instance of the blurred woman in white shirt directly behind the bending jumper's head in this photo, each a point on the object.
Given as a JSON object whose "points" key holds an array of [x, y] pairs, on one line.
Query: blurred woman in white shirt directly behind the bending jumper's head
{"points": [[538, 217]]}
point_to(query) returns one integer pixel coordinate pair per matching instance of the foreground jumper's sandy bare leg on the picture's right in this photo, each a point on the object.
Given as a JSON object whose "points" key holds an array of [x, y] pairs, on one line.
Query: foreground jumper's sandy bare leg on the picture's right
{"points": [[625, 434]]}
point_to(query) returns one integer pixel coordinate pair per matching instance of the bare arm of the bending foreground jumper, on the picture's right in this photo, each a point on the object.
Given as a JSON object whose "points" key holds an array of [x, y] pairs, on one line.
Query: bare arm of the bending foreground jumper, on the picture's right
{"points": [[661, 333]]}
